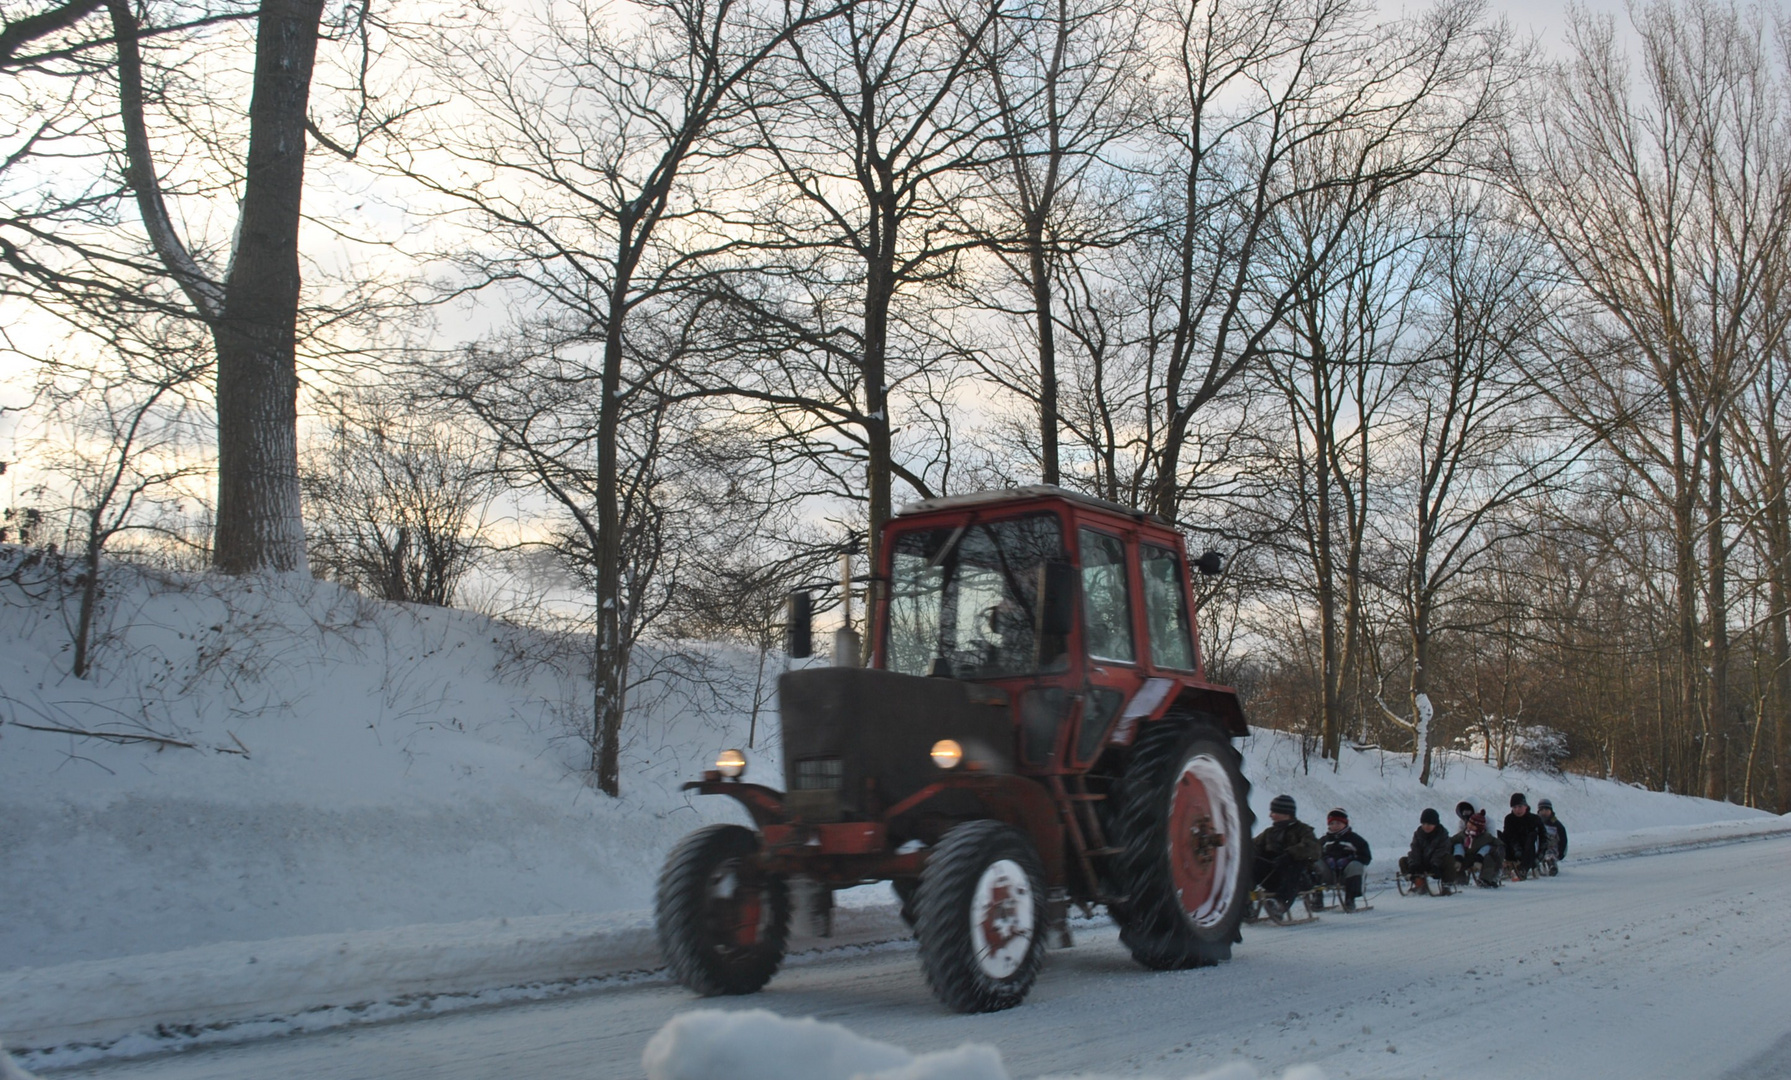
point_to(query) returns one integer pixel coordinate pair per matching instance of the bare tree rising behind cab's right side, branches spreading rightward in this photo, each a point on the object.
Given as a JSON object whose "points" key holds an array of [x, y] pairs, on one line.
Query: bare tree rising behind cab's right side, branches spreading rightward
{"points": [[1247, 89]]}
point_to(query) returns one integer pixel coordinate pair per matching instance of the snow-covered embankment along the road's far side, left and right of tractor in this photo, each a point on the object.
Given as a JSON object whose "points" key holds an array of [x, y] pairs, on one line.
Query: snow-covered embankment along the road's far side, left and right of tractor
{"points": [[318, 810]]}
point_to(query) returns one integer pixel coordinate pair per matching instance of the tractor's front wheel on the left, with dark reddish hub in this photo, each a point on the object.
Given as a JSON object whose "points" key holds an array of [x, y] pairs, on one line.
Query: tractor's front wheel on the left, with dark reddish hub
{"points": [[723, 925]]}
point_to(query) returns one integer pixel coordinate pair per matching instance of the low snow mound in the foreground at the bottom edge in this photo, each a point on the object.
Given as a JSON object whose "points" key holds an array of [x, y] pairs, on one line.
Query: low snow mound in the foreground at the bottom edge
{"points": [[758, 1045]]}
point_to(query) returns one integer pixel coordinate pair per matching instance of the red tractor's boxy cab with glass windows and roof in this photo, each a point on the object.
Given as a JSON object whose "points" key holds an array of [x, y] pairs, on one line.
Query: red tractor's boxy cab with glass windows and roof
{"points": [[1077, 608]]}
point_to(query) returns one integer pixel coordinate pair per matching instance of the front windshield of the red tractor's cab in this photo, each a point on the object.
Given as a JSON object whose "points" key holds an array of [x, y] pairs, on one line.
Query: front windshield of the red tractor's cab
{"points": [[964, 599]]}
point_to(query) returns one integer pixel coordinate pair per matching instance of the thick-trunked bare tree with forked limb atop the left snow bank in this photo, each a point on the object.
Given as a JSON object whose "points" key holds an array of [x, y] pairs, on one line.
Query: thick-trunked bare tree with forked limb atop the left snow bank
{"points": [[132, 114]]}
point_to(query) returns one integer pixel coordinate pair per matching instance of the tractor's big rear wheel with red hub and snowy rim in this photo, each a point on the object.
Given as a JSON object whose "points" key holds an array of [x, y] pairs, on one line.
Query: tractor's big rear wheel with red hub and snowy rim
{"points": [[1183, 823]]}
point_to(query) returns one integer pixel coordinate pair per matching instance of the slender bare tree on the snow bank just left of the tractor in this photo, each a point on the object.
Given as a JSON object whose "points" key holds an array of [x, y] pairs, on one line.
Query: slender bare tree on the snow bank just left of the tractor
{"points": [[596, 137]]}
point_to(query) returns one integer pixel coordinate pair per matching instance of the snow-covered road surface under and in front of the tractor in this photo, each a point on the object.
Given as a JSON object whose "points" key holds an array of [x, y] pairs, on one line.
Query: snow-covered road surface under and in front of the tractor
{"points": [[1674, 966]]}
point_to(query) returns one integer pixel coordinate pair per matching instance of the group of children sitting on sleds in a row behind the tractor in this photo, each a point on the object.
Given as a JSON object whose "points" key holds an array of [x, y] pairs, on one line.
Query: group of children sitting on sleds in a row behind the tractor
{"points": [[1292, 859]]}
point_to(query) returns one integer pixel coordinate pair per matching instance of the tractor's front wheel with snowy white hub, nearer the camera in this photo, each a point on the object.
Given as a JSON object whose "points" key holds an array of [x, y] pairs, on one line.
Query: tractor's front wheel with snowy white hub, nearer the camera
{"points": [[981, 918]]}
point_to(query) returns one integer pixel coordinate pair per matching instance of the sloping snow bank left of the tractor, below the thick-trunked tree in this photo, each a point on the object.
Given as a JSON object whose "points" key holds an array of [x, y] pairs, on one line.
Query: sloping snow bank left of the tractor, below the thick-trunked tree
{"points": [[352, 766]]}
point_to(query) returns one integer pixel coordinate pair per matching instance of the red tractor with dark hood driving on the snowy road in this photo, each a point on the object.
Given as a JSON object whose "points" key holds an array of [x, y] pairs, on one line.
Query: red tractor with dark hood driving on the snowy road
{"points": [[1034, 732]]}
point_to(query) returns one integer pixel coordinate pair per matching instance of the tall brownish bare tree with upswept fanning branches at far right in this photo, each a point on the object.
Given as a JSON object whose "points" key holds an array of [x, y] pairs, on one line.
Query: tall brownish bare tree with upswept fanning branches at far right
{"points": [[1668, 205]]}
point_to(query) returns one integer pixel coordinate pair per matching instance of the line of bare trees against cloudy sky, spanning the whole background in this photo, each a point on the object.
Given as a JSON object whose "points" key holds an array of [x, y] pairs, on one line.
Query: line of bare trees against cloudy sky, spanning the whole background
{"points": [[1471, 357]]}
